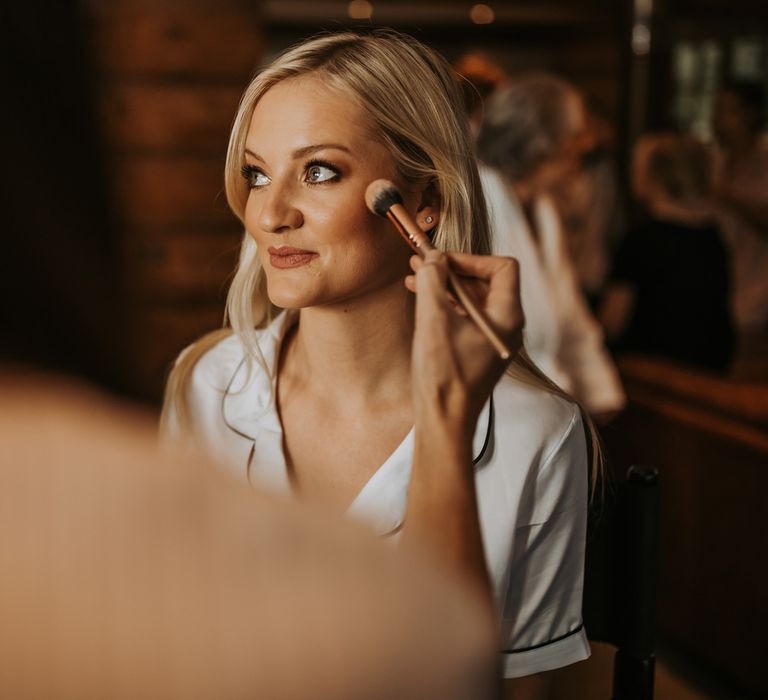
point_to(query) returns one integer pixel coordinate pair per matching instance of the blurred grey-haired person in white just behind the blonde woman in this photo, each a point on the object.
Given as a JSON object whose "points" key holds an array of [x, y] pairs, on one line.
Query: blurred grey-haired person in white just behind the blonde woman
{"points": [[531, 139]]}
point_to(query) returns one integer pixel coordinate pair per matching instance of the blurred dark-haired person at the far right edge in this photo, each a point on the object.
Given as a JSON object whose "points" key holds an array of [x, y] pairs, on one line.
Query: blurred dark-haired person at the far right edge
{"points": [[741, 194]]}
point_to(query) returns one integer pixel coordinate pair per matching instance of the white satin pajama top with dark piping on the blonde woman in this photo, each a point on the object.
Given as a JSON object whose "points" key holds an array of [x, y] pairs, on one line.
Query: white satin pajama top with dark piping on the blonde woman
{"points": [[531, 478]]}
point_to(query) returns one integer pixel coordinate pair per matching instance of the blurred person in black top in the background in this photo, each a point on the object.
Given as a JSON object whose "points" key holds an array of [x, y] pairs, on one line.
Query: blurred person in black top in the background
{"points": [[669, 289]]}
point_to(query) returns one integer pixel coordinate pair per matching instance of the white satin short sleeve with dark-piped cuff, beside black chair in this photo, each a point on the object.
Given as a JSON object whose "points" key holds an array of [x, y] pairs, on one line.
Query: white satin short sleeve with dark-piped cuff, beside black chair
{"points": [[542, 627]]}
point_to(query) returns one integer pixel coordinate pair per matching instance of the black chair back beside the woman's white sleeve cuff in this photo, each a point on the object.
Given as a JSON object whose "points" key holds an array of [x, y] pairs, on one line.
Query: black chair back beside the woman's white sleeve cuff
{"points": [[620, 579]]}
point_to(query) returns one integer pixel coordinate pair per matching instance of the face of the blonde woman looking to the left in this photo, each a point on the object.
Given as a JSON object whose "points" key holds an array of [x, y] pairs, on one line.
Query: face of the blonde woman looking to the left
{"points": [[309, 158]]}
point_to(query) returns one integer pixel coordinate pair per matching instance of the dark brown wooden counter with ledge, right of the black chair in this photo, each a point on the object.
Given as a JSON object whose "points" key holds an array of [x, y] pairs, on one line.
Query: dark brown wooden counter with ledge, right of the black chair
{"points": [[709, 439]]}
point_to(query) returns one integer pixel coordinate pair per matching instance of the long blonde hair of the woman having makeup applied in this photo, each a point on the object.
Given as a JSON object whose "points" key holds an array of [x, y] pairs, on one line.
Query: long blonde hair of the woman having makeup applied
{"points": [[415, 107]]}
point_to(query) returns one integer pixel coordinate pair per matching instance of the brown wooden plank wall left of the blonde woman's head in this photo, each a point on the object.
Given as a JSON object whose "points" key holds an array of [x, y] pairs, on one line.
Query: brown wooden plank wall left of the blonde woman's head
{"points": [[169, 75]]}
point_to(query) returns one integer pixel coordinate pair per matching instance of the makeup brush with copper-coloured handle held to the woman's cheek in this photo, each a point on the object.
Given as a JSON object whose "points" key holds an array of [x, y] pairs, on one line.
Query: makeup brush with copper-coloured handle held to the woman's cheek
{"points": [[384, 199]]}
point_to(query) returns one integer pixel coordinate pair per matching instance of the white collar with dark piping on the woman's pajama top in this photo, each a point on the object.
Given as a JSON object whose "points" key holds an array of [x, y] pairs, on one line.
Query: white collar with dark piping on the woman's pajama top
{"points": [[248, 409]]}
